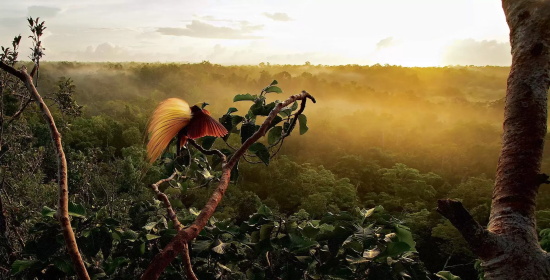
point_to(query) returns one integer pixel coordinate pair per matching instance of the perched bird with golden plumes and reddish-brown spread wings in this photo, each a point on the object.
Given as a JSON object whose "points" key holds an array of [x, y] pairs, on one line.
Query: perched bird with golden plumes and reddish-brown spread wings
{"points": [[173, 117]]}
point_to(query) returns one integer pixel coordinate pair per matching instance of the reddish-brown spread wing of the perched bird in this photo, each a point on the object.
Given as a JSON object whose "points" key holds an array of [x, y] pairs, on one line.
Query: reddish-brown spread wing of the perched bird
{"points": [[202, 124]]}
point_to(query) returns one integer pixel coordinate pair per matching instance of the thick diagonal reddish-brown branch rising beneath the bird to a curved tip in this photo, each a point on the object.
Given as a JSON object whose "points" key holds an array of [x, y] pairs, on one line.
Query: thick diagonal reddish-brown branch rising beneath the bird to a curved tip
{"points": [[178, 243]]}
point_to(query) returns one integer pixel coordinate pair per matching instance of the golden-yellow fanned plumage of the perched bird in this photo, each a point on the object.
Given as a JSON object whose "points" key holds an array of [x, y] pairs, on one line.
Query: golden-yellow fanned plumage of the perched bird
{"points": [[168, 119]]}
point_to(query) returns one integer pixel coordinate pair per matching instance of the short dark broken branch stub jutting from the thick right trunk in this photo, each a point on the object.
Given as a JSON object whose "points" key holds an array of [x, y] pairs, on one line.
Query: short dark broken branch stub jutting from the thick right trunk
{"points": [[480, 240]]}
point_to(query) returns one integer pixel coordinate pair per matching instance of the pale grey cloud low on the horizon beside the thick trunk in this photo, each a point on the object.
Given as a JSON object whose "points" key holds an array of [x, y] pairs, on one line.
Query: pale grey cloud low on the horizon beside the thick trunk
{"points": [[481, 53]]}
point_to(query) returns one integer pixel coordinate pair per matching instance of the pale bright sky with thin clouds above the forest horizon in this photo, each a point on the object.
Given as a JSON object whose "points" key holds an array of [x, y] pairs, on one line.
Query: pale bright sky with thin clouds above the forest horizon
{"points": [[365, 32]]}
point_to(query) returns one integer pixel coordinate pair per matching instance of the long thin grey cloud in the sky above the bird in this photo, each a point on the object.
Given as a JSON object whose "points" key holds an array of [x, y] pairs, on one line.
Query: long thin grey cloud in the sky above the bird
{"points": [[201, 29]]}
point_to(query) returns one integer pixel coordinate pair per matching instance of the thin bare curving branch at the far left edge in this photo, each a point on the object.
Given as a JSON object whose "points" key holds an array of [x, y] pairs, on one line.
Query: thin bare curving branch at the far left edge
{"points": [[63, 207]]}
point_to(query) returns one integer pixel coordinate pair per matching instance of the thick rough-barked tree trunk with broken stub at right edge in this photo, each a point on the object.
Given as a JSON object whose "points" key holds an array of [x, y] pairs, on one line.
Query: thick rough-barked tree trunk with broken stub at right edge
{"points": [[509, 247]]}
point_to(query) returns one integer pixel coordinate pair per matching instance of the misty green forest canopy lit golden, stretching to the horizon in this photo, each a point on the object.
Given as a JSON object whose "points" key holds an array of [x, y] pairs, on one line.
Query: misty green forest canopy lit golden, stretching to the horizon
{"points": [[388, 136]]}
